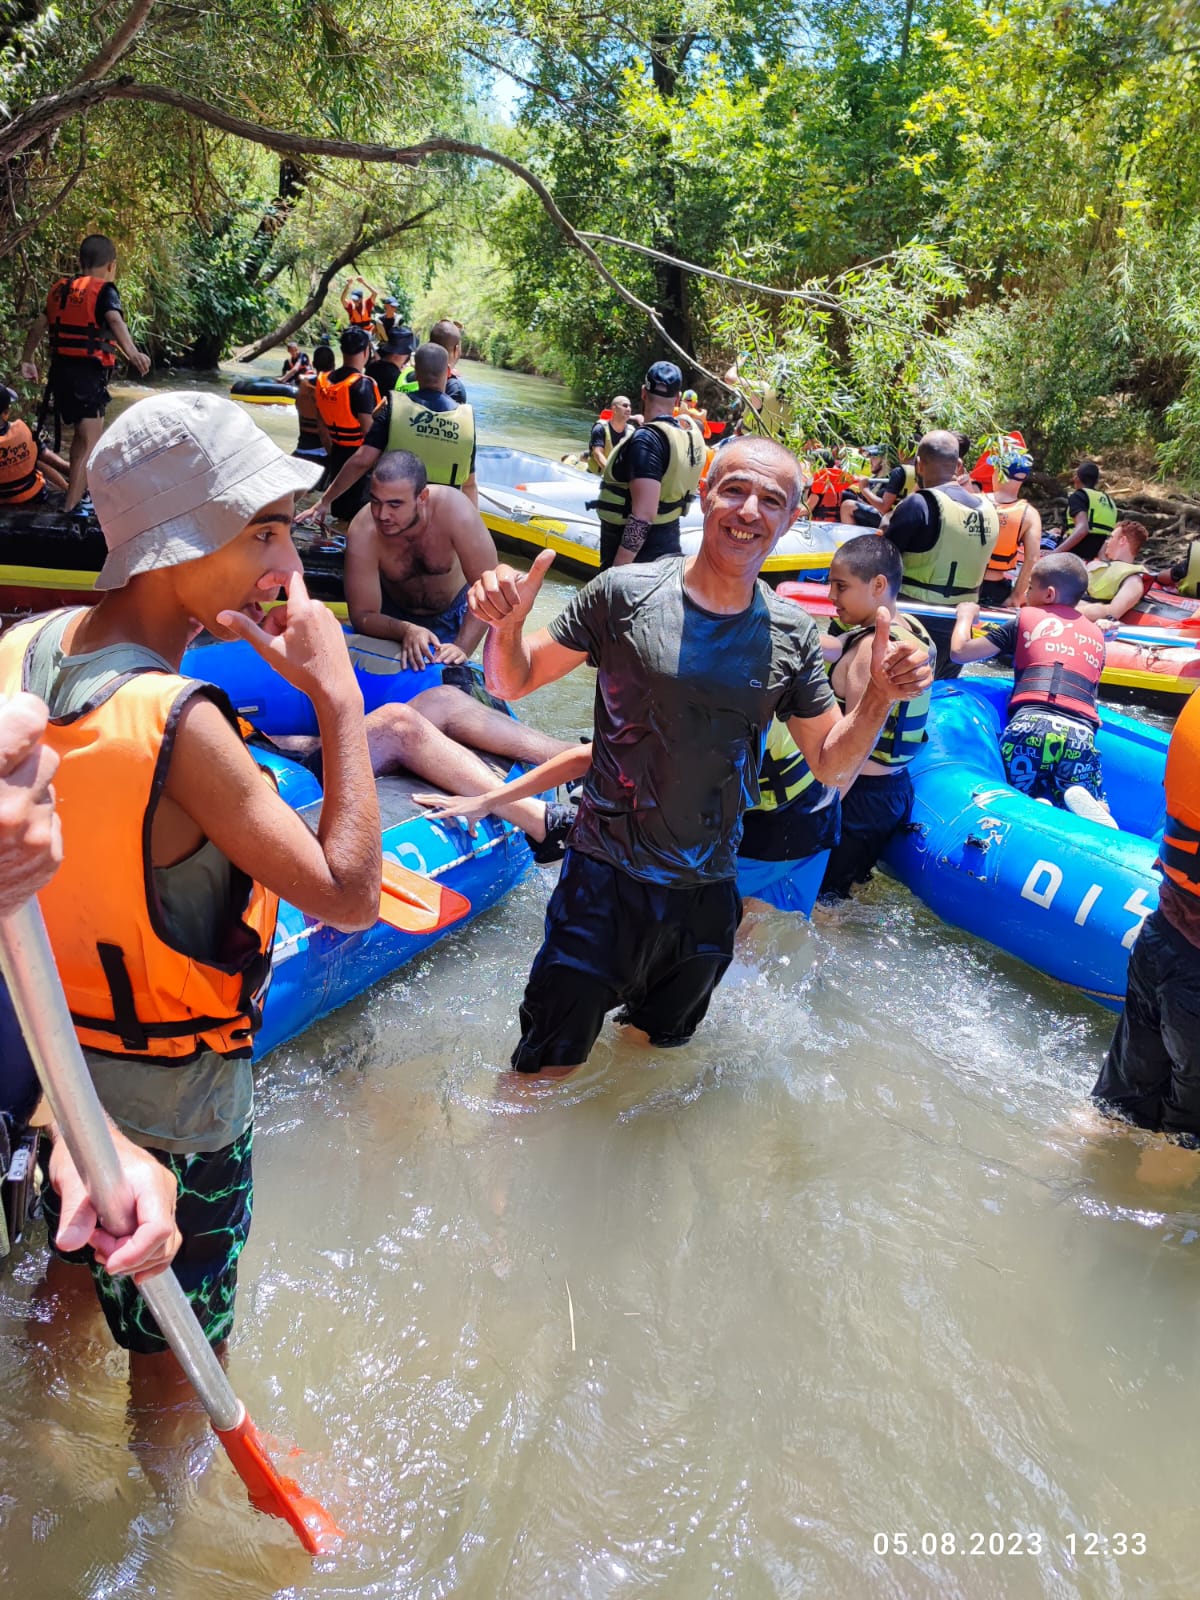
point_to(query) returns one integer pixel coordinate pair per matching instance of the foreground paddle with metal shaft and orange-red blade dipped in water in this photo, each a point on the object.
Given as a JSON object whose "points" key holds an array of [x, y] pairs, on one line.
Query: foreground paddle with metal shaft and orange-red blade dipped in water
{"points": [[41, 1006]]}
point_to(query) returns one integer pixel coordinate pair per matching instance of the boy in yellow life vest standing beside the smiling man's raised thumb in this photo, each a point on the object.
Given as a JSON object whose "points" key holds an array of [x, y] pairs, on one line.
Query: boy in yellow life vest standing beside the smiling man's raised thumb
{"points": [[863, 577]]}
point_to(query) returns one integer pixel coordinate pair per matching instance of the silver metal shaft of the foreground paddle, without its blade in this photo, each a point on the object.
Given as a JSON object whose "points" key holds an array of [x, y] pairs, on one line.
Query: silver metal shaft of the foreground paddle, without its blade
{"points": [[46, 1022]]}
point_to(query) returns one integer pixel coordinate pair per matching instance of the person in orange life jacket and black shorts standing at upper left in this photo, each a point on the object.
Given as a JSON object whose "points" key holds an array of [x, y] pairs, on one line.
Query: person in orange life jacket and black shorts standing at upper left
{"points": [[87, 329]]}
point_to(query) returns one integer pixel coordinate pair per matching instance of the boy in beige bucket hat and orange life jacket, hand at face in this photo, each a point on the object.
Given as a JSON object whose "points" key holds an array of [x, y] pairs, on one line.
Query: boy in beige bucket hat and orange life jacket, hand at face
{"points": [[175, 847]]}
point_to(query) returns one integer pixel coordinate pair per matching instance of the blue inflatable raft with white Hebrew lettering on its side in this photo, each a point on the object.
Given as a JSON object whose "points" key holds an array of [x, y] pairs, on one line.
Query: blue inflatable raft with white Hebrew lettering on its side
{"points": [[1057, 890]]}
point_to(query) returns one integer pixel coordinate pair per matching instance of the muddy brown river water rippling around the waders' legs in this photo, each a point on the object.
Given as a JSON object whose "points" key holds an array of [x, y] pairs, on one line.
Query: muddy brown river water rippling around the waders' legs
{"points": [[839, 1302]]}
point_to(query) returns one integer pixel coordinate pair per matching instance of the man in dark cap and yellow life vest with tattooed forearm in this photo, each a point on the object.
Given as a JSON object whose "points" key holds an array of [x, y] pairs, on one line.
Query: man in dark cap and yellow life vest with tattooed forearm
{"points": [[650, 478]]}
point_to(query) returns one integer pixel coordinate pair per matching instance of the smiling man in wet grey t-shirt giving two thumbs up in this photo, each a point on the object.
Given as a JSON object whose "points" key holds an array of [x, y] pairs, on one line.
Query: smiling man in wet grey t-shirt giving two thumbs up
{"points": [[695, 657]]}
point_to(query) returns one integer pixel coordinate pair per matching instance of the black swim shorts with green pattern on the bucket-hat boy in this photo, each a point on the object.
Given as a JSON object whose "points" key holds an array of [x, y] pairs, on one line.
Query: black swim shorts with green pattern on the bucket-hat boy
{"points": [[214, 1215]]}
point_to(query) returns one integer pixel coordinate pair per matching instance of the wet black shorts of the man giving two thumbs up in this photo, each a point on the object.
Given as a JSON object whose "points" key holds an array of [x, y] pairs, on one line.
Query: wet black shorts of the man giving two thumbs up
{"points": [[617, 942]]}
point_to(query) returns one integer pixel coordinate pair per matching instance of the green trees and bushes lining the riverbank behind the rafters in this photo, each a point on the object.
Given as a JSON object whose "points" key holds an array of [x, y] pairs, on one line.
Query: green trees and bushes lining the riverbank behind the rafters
{"points": [[908, 214]]}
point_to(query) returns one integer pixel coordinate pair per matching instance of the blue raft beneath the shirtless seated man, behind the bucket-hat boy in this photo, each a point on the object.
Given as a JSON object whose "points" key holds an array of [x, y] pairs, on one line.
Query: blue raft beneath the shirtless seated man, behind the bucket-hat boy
{"points": [[316, 969]]}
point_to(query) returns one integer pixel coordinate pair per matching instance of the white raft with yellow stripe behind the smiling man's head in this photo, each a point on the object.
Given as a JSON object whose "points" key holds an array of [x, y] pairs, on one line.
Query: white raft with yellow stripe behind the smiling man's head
{"points": [[535, 505]]}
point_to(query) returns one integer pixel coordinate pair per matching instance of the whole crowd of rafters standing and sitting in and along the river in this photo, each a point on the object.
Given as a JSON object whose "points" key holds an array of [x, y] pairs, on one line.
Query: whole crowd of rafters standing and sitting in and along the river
{"points": [[737, 751]]}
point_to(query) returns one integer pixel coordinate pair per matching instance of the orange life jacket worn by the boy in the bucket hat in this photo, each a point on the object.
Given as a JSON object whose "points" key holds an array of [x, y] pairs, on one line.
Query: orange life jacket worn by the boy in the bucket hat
{"points": [[132, 993]]}
